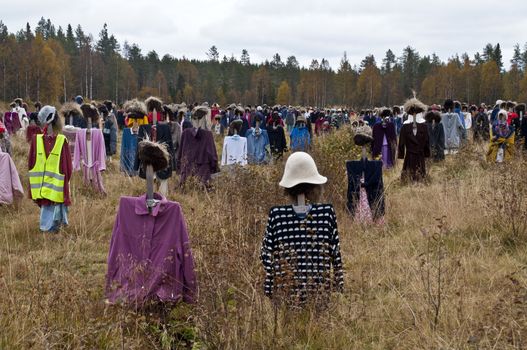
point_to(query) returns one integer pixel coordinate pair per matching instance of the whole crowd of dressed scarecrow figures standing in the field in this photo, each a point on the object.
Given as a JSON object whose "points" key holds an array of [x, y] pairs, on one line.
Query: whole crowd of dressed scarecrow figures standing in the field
{"points": [[150, 257]]}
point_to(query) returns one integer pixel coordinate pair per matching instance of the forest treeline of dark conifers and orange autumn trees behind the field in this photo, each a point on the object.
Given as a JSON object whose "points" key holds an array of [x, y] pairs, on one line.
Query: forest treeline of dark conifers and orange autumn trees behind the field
{"points": [[52, 64]]}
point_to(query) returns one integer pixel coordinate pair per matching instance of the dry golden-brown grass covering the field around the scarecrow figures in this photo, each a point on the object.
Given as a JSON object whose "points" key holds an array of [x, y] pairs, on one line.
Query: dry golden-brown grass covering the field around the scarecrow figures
{"points": [[472, 260]]}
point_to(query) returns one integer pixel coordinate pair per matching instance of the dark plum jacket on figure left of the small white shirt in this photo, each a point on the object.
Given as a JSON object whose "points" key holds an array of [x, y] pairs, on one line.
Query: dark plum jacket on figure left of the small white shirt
{"points": [[197, 155]]}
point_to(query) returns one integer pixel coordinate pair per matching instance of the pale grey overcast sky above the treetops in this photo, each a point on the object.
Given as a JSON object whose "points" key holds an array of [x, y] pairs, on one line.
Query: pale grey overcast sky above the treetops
{"points": [[305, 28]]}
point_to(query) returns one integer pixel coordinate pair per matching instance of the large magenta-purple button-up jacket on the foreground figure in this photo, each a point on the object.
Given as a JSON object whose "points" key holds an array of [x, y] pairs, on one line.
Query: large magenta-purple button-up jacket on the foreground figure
{"points": [[150, 256]]}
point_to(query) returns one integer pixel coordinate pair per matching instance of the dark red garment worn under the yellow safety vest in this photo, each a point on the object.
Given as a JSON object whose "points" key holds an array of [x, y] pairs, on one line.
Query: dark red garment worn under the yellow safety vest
{"points": [[66, 167]]}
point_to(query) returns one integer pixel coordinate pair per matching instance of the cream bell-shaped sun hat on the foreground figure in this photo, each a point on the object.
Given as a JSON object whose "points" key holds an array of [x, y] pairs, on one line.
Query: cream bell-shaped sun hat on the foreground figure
{"points": [[301, 168]]}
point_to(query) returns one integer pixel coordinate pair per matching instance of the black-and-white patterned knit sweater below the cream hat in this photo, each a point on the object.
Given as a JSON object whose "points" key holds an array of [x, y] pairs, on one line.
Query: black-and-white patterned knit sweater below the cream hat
{"points": [[301, 255]]}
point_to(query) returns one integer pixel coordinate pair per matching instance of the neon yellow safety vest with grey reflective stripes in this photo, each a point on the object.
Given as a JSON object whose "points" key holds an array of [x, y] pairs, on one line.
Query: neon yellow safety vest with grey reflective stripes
{"points": [[45, 178]]}
